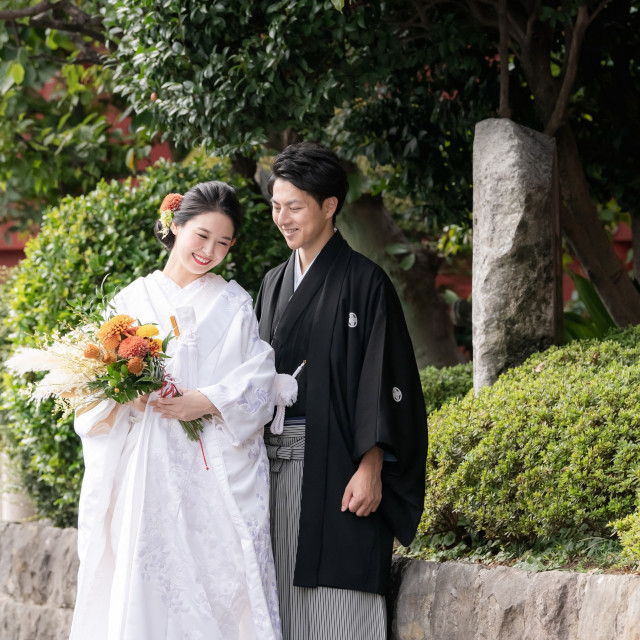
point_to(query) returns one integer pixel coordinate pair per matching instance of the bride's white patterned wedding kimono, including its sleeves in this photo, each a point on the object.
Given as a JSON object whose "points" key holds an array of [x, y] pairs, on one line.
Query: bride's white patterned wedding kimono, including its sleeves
{"points": [[169, 550]]}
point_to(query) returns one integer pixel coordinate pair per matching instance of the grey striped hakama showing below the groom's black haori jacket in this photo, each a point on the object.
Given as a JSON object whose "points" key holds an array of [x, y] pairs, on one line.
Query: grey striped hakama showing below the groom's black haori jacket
{"points": [[321, 613]]}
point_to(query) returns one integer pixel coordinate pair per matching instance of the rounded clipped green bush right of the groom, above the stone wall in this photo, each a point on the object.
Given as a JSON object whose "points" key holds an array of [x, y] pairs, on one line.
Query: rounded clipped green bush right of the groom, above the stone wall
{"points": [[553, 445]]}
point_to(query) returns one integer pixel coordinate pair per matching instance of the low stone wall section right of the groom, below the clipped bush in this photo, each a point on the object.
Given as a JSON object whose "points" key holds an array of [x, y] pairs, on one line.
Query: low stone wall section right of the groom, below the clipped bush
{"points": [[464, 601]]}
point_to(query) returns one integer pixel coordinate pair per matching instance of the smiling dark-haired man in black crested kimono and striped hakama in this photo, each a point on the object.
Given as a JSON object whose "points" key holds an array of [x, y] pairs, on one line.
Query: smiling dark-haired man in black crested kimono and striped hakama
{"points": [[347, 472]]}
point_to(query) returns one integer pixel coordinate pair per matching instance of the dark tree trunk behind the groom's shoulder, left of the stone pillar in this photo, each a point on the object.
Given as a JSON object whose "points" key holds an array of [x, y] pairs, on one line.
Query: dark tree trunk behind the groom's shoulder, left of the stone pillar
{"points": [[369, 229]]}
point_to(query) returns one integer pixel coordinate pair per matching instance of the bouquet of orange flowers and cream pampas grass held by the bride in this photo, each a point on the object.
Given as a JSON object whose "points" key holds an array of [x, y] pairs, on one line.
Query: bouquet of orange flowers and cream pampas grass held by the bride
{"points": [[119, 359]]}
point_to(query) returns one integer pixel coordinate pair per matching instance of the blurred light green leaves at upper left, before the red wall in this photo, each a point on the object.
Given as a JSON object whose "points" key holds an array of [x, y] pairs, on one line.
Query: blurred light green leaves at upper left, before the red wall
{"points": [[56, 122]]}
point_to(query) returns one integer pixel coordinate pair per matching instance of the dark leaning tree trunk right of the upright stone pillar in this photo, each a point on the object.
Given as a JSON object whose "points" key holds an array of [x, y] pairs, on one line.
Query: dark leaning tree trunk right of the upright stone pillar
{"points": [[588, 239]]}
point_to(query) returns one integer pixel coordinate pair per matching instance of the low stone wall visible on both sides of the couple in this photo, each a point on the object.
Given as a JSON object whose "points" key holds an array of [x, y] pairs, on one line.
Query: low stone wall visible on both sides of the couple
{"points": [[433, 601]]}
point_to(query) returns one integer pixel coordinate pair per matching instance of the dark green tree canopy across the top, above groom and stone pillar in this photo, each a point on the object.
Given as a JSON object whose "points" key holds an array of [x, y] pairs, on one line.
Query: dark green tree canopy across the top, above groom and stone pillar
{"points": [[402, 83]]}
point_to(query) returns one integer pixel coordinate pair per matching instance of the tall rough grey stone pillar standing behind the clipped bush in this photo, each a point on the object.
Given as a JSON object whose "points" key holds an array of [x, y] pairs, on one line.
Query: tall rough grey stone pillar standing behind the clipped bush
{"points": [[517, 296]]}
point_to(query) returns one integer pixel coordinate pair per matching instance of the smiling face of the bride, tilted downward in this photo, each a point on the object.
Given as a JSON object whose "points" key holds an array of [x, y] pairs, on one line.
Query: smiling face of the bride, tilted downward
{"points": [[201, 243]]}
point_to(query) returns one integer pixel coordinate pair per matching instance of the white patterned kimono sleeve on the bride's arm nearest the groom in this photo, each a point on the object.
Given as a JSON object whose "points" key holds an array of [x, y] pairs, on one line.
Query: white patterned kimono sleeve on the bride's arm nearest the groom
{"points": [[244, 392]]}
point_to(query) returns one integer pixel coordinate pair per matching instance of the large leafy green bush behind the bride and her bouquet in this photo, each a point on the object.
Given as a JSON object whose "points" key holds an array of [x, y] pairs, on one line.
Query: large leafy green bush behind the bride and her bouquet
{"points": [[108, 231]]}
